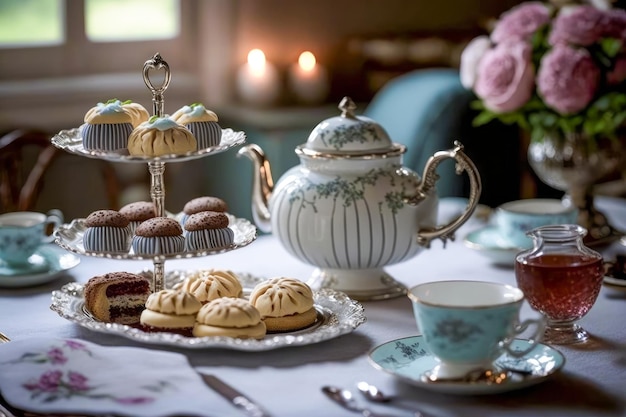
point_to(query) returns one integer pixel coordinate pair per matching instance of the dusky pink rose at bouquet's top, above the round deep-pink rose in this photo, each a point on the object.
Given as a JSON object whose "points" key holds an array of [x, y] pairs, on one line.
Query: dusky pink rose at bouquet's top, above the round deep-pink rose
{"points": [[577, 25]]}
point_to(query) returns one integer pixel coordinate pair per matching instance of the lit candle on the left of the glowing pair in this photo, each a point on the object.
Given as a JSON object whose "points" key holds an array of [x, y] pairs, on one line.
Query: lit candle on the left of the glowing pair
{"points": [[257, 80]]}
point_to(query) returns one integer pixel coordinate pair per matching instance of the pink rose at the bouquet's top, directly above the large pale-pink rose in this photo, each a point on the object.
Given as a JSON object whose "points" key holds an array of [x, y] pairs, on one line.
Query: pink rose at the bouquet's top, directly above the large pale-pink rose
{"points": [[521, 22]]}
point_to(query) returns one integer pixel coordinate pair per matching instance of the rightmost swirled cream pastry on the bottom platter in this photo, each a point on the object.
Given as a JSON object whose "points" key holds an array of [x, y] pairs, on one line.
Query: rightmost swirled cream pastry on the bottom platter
{"points": [[284, 303]]}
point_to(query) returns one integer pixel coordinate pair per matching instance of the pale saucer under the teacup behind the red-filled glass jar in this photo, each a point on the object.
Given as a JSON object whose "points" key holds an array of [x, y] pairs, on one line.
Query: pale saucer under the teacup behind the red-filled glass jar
{"points": [[489, 242]]}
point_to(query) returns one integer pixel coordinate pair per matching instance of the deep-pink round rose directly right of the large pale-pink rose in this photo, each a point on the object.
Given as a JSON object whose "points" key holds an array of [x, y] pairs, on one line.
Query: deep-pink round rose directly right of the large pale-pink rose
{"points": [[567, 79]]}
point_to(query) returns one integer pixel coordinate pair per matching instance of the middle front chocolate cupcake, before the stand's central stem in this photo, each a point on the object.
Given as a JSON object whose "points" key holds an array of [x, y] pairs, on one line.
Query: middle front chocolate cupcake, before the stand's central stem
{"points": [[158, 236]]}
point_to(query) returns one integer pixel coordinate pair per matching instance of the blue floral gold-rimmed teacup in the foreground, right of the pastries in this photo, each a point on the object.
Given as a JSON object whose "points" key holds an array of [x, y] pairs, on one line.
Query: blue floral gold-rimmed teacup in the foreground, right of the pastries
{"points": [[467, 325]]}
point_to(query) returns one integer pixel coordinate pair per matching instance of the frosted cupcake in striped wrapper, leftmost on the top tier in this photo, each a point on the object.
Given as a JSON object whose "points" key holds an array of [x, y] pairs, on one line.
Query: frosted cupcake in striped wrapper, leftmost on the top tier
{"points": [[107, 127]]}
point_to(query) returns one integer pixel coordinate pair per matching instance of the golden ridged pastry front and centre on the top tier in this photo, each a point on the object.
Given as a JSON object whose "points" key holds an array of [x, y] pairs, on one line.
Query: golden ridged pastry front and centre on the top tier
{"points": [[161, 136]]}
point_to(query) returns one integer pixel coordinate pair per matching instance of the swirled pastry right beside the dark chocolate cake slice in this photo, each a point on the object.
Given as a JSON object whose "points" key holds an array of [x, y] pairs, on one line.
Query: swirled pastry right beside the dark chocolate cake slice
{"points": [[170, 311]]}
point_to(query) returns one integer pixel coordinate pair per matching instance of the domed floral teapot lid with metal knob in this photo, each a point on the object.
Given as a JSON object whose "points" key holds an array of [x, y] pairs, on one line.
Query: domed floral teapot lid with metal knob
{"points": [[349, 134]]}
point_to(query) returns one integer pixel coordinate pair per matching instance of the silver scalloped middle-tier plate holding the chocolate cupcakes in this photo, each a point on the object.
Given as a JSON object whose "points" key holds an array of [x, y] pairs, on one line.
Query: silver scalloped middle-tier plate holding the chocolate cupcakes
{"points": [[70, 237]]}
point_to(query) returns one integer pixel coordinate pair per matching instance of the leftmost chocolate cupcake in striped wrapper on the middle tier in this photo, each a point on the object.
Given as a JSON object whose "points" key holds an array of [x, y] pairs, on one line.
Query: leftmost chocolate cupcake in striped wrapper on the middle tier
{"points": [[107, 231]]}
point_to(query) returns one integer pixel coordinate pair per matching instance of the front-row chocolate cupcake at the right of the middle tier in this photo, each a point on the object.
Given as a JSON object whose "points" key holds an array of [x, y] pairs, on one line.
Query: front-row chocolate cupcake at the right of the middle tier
{"points": [[207, 230]]}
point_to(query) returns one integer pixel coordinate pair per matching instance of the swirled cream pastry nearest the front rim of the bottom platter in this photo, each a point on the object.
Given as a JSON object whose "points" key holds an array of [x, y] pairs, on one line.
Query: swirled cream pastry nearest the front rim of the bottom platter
{"points": [[232, 317]]}
